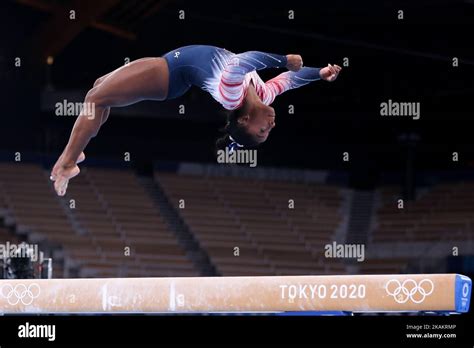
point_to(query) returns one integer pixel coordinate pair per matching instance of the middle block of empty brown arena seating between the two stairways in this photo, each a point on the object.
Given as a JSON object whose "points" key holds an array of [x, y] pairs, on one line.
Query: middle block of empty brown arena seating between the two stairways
{"points": [[254, 216]]}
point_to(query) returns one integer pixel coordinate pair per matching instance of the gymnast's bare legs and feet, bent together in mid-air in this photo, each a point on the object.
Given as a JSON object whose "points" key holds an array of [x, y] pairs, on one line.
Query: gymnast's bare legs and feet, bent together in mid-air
{"points": [[143, 79]]}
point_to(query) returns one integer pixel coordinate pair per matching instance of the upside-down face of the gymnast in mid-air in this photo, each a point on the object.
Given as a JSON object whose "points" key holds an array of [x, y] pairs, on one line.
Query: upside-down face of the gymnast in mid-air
{"points": [[258, 121]]}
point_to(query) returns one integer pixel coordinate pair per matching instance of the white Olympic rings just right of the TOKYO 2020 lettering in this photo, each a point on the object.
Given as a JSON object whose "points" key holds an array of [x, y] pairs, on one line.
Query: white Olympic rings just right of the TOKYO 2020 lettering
{"points": [[409, 290]]}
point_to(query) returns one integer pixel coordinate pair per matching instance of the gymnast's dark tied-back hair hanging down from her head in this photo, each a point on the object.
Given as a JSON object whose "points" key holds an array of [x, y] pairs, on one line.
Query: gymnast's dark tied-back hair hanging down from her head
{"points": [[235, 132]]}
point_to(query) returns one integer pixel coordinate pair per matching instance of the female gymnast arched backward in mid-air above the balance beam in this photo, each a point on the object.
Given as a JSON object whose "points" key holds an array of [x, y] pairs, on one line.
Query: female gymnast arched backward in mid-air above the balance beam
{"points": [[230, 78]]}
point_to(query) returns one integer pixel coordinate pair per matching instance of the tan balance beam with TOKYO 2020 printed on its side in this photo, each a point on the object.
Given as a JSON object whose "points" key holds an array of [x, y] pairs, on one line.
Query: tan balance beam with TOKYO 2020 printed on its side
{"points": [[352, 293]]}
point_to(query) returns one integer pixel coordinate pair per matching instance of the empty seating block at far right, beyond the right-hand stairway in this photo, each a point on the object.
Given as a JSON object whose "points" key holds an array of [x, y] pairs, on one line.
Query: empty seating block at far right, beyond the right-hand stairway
{"points": [[443, 212]]}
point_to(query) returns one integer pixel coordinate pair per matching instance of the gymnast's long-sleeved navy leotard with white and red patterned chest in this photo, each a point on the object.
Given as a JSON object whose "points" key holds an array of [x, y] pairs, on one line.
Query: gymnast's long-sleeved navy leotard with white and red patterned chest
{"points": [[227, 76]]}
